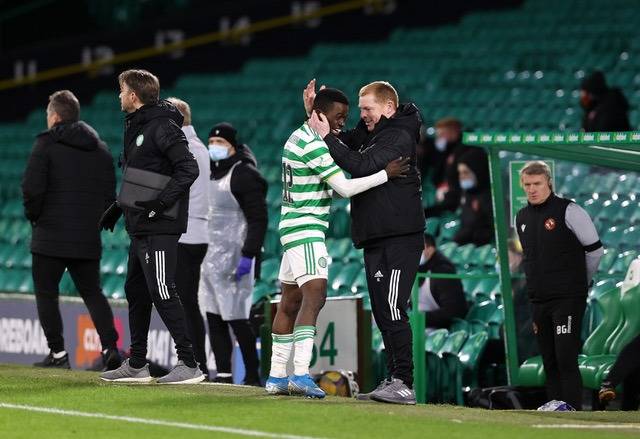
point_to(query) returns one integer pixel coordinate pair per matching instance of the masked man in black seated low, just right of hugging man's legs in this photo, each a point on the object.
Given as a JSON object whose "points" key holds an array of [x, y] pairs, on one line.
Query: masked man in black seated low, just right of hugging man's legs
{"points": [[441, 299]]}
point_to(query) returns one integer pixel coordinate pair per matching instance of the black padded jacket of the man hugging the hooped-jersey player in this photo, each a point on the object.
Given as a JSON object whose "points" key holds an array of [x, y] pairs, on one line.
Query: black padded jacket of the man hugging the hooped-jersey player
{"points": [[394, 208]]}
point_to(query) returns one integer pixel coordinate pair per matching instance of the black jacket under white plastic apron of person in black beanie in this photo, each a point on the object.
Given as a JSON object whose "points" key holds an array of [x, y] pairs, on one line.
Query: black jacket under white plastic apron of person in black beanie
{"points": [[250, 190]]}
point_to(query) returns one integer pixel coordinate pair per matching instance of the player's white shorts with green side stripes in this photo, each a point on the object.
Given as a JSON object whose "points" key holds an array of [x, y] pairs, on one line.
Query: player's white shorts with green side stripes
{"points": [[304, 262]]}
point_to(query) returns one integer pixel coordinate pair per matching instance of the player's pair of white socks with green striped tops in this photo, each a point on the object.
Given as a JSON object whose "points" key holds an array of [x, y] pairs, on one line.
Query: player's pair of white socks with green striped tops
{"points": [[282, 344]]}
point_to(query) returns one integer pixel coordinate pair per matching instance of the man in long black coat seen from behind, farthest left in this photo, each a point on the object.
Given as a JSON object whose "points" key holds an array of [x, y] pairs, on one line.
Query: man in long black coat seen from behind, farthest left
{"points": [[69, 181]]}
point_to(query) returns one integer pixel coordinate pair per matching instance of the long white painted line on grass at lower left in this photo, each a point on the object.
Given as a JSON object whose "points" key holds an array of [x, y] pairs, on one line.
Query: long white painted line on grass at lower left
{"points": [[203, 427]]}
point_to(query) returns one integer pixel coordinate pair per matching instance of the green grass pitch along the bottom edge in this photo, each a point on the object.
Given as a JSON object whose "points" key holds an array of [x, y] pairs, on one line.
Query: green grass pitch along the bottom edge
{"points": [[37, 403]]}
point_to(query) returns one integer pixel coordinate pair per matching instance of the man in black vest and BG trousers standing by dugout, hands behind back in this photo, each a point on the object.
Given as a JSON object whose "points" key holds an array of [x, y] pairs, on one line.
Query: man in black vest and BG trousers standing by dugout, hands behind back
{"points": [[561, 254]]}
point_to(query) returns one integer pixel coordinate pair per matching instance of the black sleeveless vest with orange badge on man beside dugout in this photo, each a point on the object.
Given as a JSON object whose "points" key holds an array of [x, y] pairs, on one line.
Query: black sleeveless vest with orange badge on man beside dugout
{"points": [[554, 262]]}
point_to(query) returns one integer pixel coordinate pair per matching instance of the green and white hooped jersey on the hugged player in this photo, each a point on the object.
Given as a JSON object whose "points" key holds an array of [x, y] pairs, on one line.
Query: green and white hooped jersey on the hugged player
{"points": [[306, 195]]}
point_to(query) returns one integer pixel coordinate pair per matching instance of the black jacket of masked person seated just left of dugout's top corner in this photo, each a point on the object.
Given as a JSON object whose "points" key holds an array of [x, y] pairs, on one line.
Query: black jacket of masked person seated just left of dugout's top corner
{"points": [[476, 217]]}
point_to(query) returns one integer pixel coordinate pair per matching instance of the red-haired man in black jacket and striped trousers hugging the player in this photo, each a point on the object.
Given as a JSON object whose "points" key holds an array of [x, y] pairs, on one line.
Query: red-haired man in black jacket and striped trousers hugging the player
{"points": [[387, 221]]}
